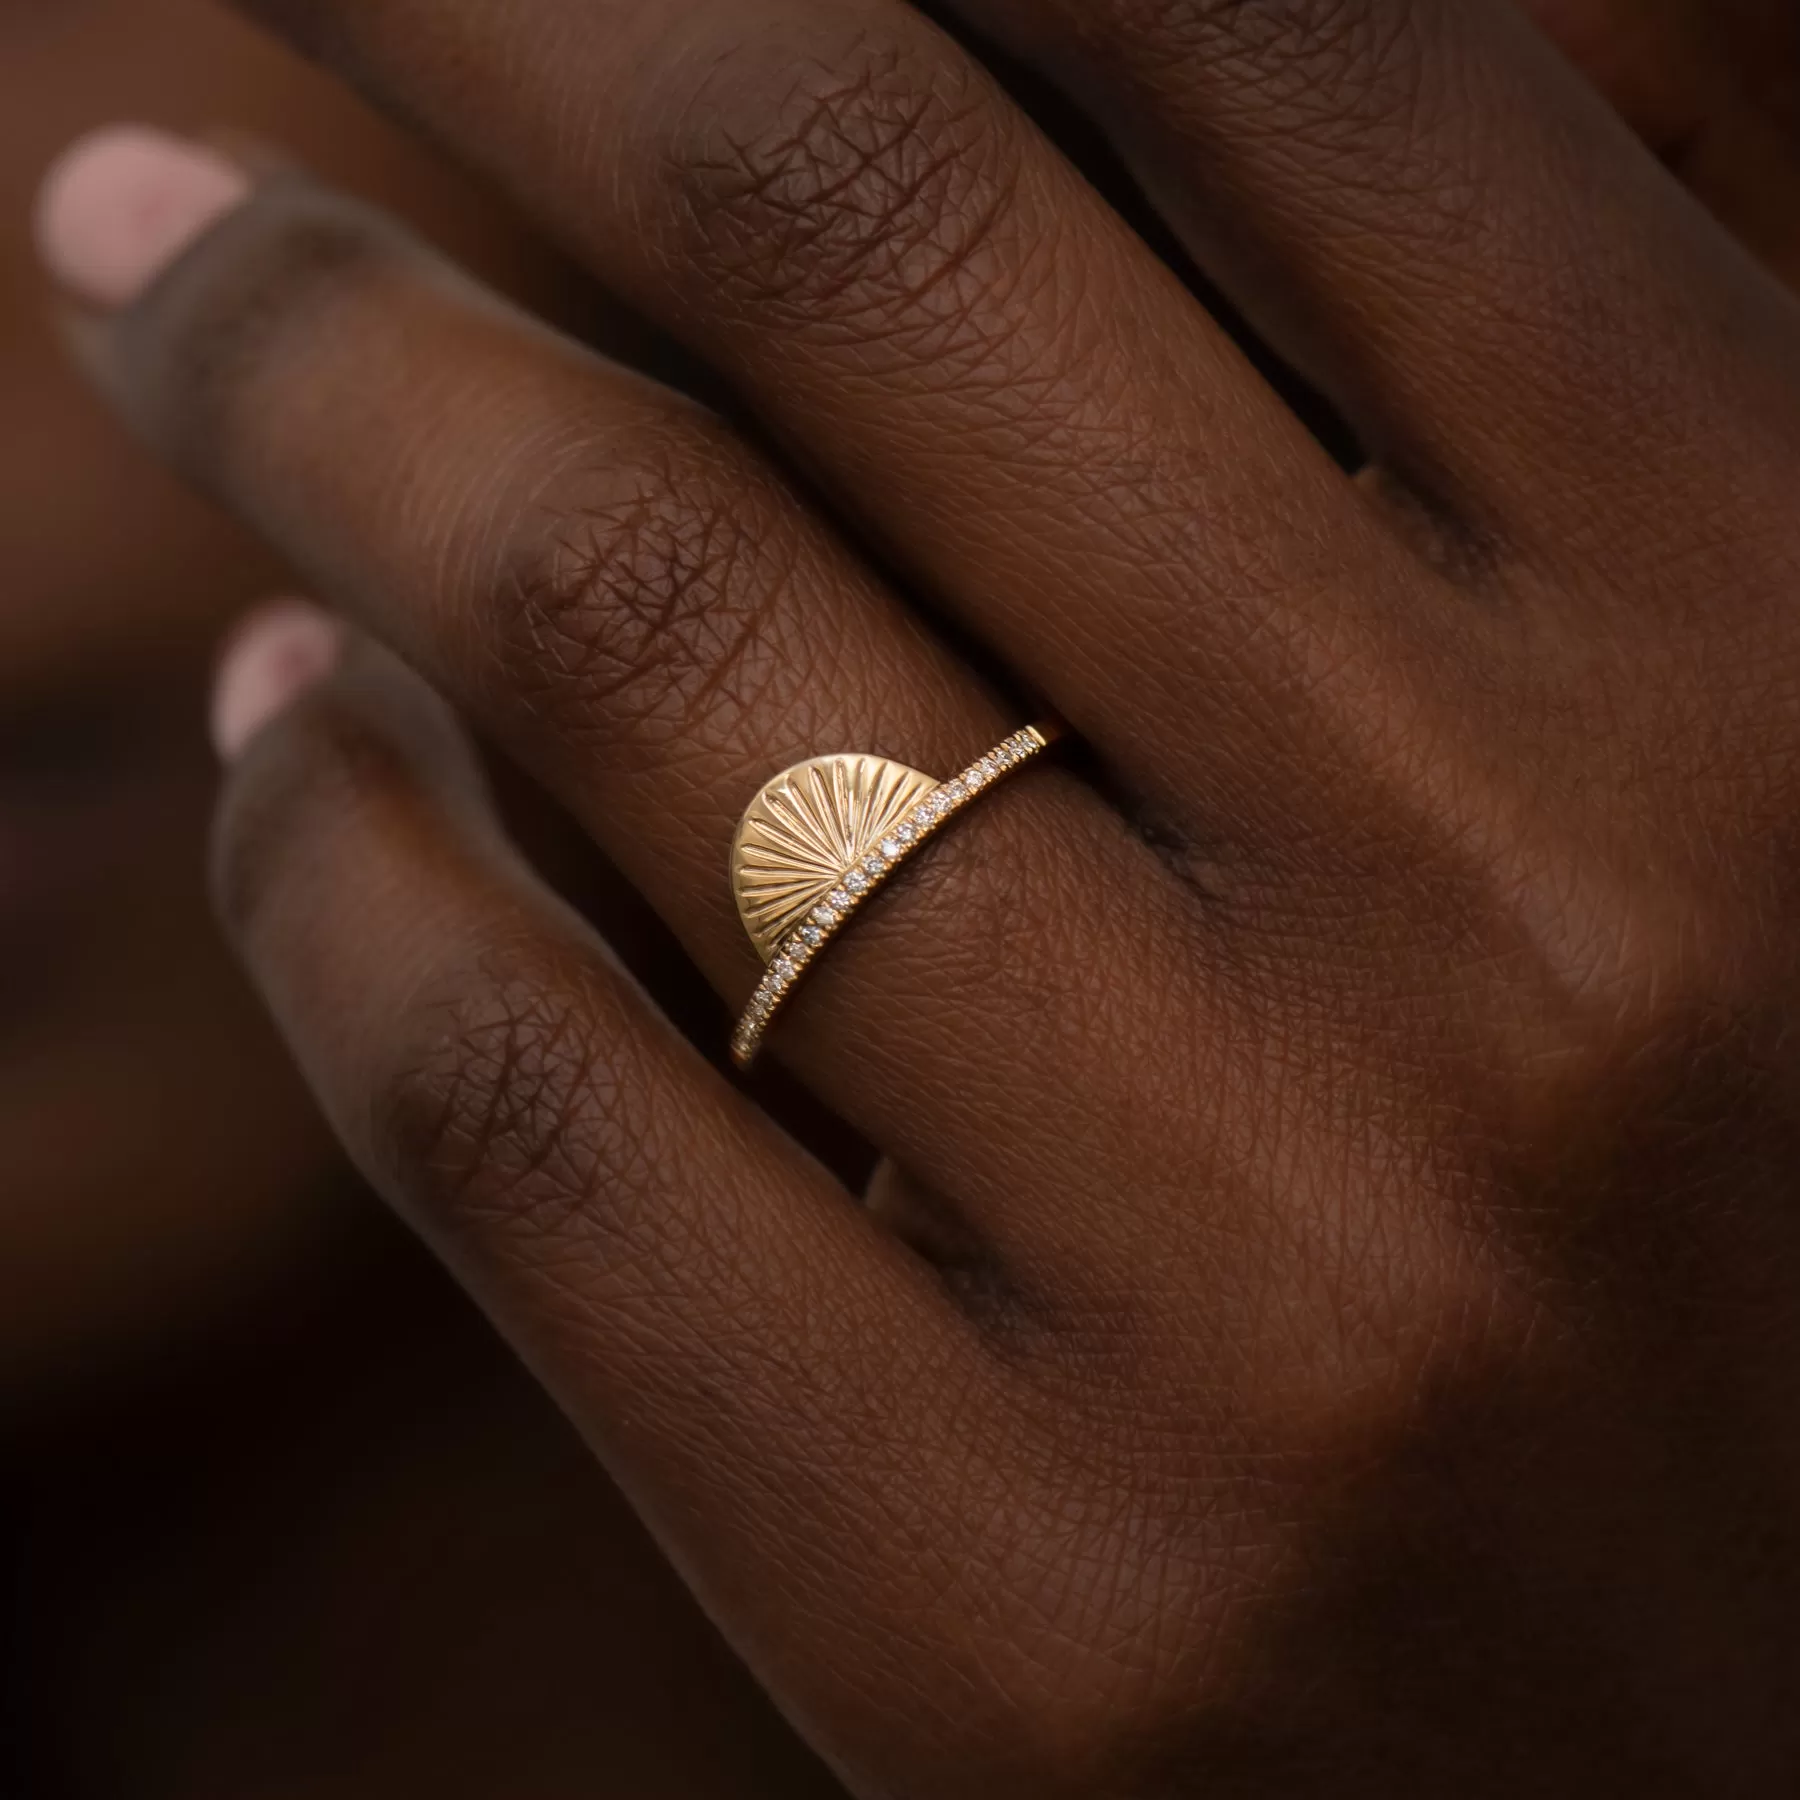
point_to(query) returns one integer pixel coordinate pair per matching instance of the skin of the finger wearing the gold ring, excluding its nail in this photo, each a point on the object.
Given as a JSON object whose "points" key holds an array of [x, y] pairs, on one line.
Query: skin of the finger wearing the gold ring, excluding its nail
{"points": [[643, 618]]}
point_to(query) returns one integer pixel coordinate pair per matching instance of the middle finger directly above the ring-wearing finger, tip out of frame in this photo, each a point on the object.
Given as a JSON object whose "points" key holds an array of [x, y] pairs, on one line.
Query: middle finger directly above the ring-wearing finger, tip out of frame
{"points": [[840, 210]]}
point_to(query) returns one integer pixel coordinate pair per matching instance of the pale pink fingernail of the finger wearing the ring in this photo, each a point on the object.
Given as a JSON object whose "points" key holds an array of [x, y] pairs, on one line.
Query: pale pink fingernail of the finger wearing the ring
{"points": [[120, 206]]}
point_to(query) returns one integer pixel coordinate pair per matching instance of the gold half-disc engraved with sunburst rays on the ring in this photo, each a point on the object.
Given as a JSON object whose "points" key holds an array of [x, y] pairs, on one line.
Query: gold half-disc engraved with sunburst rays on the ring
{"points": [[811, 827]]}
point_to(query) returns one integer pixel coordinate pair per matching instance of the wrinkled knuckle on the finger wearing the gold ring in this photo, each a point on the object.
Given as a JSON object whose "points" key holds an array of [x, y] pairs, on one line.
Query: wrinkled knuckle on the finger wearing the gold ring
{"points": [[647, 600]]}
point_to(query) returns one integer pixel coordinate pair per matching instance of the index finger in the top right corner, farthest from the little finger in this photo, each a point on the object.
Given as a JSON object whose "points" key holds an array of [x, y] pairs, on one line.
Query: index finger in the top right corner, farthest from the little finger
{"points": [[1439, 224]]}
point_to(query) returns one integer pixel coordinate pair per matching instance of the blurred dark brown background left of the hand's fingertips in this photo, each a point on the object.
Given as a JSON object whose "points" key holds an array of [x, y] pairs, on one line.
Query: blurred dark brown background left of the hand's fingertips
{"points": [[287, 1520]]}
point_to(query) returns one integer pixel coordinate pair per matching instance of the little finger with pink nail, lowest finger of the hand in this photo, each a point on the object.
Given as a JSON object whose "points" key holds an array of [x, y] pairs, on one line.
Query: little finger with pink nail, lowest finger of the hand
{"points": [[777, 1387]]}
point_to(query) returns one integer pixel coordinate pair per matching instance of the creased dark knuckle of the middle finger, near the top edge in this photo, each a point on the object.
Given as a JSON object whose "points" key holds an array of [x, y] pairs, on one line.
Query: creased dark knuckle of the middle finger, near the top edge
{"points": [[867, 181]]}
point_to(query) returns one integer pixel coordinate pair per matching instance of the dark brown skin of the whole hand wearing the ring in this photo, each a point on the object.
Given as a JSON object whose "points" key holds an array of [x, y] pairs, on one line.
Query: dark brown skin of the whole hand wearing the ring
{"points": [[1369, 1122]]}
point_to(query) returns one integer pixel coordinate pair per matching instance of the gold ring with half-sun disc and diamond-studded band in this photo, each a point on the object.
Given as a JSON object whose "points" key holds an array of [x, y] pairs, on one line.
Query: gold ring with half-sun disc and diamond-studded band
{"points": [[825, 838]]}
